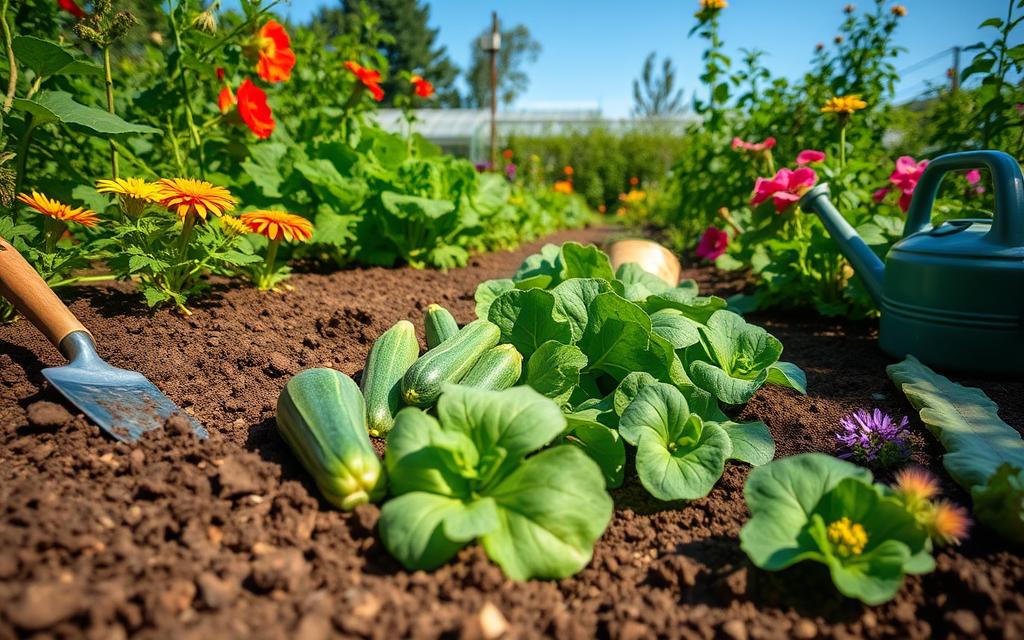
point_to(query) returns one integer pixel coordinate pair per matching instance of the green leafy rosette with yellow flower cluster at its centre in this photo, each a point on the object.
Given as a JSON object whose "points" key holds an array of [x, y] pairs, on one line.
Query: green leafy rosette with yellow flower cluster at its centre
{"points": [[820, 508]]}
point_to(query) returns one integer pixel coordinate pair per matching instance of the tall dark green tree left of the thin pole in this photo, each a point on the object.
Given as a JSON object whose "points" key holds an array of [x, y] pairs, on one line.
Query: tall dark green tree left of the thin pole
{"points": [[414, 49]]}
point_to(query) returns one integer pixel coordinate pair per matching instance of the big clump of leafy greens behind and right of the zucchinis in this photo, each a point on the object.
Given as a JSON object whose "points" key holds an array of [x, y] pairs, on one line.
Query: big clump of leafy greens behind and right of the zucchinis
{"points": [[612, 350]]}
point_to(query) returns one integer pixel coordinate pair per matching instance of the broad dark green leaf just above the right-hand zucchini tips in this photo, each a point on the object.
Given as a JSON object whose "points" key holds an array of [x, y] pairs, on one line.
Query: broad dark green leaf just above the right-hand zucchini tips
{"points": [[528, 319]]}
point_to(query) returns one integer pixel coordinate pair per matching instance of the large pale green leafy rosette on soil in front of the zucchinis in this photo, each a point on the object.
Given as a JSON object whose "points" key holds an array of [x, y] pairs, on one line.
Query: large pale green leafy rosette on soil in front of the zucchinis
{"points": [[474, 474]]}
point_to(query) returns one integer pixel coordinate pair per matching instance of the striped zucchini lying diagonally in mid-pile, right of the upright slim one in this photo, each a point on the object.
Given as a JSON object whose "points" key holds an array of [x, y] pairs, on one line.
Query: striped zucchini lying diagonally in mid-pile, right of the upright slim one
{"points": [[449, 362]]}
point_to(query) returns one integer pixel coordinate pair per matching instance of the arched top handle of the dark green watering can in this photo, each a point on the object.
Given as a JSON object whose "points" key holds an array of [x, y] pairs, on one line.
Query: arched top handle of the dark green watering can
{"points": [[1008, 223]]}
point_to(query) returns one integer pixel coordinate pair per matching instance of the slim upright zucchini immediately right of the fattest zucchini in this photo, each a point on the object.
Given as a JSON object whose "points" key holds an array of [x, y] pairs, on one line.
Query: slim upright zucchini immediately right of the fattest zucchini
{"points": [[389, 361]]}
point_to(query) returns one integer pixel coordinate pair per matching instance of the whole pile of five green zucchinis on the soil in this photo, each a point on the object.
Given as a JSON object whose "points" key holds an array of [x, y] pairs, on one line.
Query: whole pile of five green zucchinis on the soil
{"points": [[327, 419]]}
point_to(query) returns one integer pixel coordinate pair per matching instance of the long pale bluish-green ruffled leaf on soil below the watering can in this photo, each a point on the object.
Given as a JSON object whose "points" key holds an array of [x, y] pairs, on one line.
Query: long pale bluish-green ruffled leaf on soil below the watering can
{"points": [[986, 455]]}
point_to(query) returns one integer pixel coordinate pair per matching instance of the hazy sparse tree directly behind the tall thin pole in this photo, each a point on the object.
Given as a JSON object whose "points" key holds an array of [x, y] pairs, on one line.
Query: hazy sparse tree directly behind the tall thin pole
{"points": [[519, 49]]}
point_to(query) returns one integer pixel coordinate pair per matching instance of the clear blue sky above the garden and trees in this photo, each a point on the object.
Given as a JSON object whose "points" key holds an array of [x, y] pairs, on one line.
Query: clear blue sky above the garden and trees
{"points": [[593, 50]]}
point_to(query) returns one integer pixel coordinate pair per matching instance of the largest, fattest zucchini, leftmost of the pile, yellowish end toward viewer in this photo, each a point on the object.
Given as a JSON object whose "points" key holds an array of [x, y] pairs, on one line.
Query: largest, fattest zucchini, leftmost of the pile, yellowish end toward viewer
{"points": [[322, 416]]}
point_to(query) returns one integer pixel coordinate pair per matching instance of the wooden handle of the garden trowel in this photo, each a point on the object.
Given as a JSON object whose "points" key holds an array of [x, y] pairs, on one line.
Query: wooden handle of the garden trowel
{"points": [[33, 298]]}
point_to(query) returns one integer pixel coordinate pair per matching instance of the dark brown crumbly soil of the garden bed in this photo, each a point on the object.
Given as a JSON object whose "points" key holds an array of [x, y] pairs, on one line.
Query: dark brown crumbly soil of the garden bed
{"points": [[228, 538]]}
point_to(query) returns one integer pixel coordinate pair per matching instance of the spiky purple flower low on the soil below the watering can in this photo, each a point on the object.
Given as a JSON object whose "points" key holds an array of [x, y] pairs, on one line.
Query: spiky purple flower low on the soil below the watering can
{"points": [[874, 439]]}
